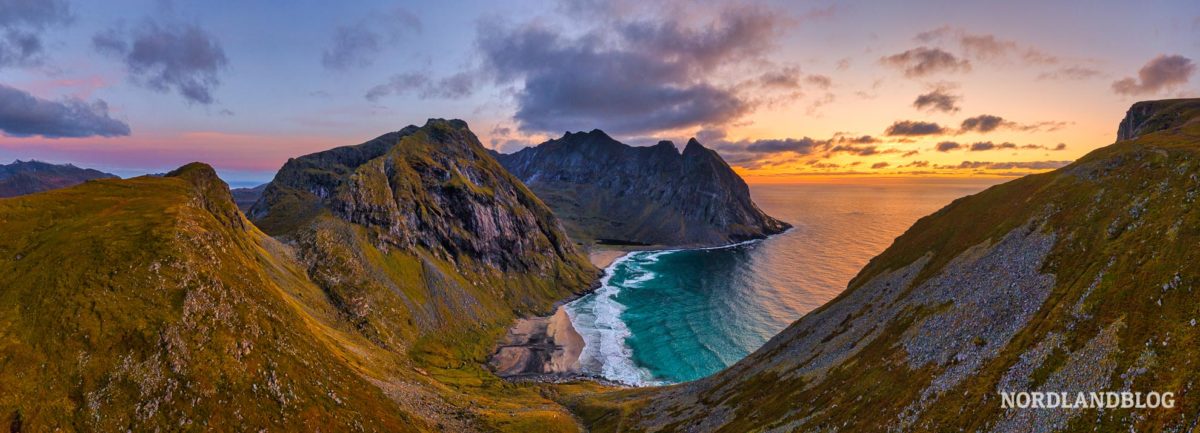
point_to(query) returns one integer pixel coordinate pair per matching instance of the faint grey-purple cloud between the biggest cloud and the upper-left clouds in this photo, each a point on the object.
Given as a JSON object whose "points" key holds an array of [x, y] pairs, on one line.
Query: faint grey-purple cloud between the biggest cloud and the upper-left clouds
{"points": [[358, 45]]}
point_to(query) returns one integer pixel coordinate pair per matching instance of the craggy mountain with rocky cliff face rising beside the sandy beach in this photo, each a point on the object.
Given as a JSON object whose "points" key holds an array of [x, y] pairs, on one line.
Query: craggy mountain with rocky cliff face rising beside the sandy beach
{"points": [[430, 249]]}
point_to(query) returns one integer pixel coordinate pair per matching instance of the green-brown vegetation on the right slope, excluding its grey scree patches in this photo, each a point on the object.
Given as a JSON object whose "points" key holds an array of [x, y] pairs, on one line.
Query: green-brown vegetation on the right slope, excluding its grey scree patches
{"points": [[1125, 224]]}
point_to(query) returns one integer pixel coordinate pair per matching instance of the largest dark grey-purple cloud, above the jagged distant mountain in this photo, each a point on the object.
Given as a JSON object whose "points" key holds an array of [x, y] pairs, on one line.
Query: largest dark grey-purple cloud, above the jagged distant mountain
{"points": [[631, 76]]}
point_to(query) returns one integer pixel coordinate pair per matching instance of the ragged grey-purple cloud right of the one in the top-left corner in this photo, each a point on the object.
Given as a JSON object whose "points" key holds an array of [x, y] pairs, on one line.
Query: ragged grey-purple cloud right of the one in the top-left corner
{"points": [[164, 58]]}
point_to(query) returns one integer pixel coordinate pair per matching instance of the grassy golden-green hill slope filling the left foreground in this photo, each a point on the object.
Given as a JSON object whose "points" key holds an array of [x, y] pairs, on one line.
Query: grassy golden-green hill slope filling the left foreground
{"points": [[152, 305]]}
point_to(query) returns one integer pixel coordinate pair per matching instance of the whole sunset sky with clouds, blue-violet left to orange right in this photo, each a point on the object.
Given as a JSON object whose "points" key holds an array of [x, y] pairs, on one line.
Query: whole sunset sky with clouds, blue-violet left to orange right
{"points": [[784, 91]]}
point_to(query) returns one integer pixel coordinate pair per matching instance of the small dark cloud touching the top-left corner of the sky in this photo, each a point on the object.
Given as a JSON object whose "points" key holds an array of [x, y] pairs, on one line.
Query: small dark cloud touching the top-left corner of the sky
{"points": [[22, 25]]}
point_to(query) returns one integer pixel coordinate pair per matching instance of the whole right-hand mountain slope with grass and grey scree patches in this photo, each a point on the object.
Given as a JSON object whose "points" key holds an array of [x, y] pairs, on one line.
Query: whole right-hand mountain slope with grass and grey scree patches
{"points": [[1083, 279]]}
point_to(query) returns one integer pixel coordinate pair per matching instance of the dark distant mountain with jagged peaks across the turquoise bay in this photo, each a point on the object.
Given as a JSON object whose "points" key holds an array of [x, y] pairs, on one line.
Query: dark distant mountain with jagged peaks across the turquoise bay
{"points": [[610, 193]]}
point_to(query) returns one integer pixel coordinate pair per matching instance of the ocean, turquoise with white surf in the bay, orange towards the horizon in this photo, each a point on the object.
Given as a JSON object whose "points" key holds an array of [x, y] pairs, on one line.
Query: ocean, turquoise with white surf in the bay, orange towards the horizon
{"points": [[664, 317]]}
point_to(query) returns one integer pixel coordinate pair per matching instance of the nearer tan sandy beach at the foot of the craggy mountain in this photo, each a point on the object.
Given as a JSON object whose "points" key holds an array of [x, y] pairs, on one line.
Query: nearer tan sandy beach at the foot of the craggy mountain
{"points": [[539, 346]]}
